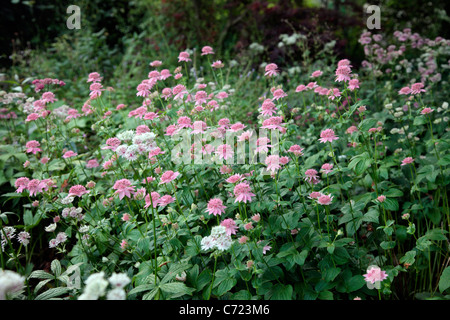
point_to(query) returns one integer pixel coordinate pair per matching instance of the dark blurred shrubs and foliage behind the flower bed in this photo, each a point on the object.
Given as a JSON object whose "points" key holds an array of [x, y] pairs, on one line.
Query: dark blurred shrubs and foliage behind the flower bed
{"points": [[118, 37]]}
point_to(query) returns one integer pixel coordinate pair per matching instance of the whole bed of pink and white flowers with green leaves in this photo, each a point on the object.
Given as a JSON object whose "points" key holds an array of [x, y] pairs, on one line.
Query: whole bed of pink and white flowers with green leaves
{"points": [[334, 188]]}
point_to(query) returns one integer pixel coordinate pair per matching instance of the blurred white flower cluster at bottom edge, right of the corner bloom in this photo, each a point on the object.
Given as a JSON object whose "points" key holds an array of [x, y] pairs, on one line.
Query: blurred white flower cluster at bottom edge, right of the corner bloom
{"points": [[96, 286]]}
